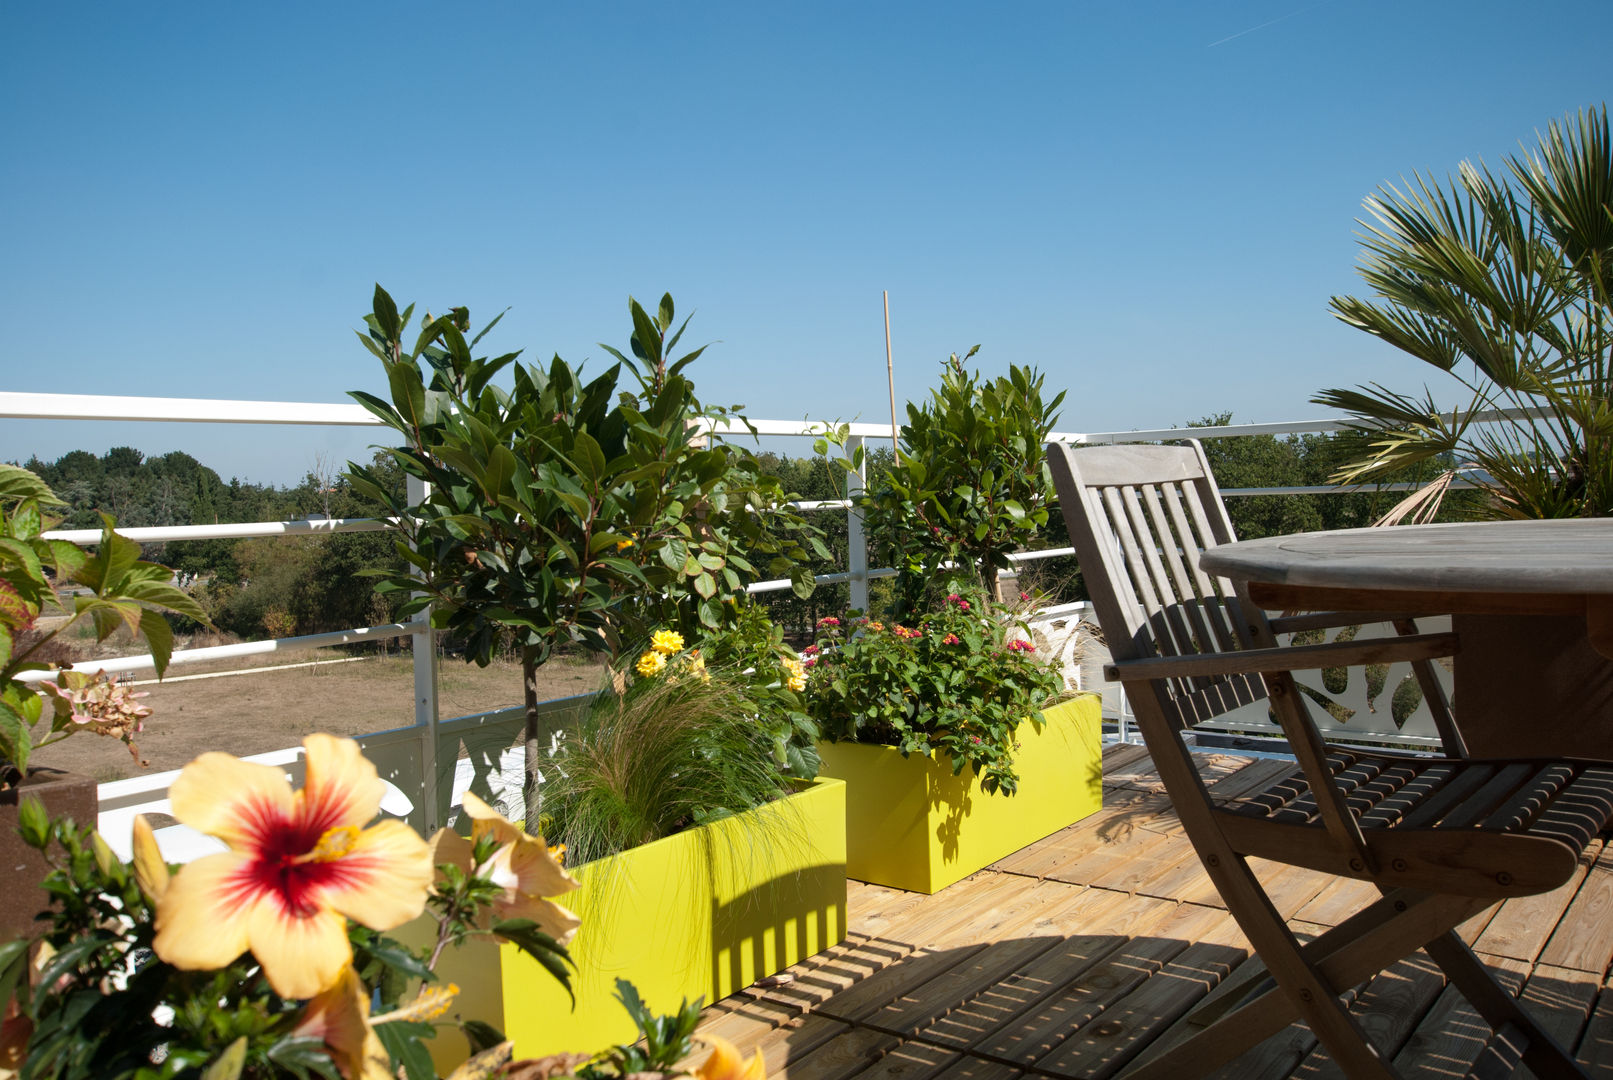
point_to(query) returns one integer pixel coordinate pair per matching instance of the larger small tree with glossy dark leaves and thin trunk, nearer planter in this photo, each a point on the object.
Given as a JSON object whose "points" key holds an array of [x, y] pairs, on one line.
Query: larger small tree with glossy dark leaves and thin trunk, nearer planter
{"points": [[567, 512]]}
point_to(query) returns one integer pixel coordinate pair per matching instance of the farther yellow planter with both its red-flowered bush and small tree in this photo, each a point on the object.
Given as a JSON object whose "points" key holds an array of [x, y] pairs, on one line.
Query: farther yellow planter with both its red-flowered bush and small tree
{"points": [[935, 713]]}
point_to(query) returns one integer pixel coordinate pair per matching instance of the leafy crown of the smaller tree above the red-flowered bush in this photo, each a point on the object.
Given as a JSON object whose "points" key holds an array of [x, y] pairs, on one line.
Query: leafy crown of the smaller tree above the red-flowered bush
{"points": [[969, 486]]}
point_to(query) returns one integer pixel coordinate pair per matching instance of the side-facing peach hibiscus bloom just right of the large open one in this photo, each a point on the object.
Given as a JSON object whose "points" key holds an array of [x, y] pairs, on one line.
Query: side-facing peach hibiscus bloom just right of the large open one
{"points": [[525, 868]]}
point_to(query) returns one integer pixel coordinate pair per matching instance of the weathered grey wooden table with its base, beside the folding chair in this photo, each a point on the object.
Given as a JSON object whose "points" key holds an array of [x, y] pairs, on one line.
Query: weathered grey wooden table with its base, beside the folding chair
{"points": [[1532, 602]]}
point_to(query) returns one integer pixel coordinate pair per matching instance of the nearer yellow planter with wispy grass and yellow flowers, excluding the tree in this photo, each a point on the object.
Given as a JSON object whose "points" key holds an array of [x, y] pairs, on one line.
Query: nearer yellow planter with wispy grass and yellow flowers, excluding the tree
{"points": [[704, 866]]}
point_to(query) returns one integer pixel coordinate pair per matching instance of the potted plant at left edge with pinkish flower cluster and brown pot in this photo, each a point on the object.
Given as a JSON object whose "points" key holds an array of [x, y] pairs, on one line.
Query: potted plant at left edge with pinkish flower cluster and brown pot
{"points": [[112, 589]]}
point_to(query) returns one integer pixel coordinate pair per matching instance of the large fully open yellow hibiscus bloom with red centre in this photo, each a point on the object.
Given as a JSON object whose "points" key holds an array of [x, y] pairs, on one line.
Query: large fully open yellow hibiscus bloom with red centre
{"points": [[299, 866]]}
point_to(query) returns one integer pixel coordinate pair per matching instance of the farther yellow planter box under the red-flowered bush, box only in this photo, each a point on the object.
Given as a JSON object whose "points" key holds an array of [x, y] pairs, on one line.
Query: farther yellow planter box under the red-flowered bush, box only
{"points": [[917, 826]]}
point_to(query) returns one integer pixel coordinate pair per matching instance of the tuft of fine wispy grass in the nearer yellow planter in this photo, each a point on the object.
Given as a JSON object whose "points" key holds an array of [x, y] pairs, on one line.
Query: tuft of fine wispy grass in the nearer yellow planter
{"points": [[664, 757]]}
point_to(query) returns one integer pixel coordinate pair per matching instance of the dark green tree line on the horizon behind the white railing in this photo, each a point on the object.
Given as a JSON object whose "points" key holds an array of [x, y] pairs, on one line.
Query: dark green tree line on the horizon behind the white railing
{"points": [[278, 588]]}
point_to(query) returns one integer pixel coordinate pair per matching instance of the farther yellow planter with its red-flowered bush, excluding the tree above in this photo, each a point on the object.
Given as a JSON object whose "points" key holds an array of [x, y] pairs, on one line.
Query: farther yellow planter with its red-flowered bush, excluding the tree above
{"points": [[948, 744]]}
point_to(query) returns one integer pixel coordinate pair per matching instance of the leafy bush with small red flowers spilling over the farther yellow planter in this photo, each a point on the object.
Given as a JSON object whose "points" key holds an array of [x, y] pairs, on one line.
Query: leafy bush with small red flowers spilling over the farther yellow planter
{"points": [[962, 681]]}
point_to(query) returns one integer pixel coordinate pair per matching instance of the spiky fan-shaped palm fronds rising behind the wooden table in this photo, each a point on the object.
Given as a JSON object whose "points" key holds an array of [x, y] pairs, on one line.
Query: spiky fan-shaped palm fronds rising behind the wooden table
{"points": [[1501, 283]]}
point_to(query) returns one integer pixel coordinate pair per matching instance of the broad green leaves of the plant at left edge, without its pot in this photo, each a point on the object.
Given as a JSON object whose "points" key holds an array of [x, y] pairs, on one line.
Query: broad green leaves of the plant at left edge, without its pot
{"points": [[117, 591]]}
